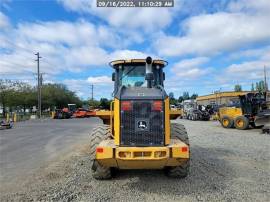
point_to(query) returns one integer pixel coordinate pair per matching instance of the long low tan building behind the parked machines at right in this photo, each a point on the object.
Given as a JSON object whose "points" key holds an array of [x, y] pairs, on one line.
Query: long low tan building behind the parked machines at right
{"points": [[220, 98]]}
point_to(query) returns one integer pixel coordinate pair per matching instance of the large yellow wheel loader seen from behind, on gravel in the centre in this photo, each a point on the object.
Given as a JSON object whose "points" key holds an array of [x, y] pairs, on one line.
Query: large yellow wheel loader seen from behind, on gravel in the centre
{"points": [[137, 132]]}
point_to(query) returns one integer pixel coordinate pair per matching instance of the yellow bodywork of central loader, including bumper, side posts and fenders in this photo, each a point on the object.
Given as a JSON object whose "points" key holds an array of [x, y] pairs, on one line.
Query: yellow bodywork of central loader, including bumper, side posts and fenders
{"points": [[111, 154]]}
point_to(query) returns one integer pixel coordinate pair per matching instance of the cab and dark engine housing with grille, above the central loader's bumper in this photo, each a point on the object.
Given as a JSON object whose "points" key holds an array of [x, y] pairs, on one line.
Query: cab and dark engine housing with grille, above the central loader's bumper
{"points": [[141, 101]]}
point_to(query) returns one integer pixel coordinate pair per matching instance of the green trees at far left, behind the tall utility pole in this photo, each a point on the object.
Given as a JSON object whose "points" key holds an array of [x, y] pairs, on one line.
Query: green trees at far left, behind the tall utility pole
{"points": [[20, 95]]}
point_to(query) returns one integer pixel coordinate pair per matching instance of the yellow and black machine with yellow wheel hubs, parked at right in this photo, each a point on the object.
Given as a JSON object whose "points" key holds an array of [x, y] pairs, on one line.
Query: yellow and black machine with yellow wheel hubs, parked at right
{"points": [[243, 114]]}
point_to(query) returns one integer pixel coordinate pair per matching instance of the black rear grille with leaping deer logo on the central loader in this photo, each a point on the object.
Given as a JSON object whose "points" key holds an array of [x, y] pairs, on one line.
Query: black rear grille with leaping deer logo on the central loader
{"points": [[132, 135]]}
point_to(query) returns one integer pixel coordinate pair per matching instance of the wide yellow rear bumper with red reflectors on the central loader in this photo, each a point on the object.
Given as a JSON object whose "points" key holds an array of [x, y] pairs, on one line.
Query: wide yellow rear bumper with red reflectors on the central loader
{"points": [[173, 154]]}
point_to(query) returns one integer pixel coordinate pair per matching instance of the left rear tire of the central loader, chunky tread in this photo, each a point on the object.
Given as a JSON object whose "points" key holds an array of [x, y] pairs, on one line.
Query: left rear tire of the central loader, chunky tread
{"points": [[99, 134]]}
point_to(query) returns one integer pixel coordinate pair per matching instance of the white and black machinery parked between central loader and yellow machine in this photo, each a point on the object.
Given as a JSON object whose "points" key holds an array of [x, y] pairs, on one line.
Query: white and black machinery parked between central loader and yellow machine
{"points": [[195, 112]]}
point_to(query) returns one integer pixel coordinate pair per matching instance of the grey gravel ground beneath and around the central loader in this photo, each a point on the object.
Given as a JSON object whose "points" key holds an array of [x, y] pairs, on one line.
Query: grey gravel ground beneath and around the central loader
{"points": [[226, 165]]}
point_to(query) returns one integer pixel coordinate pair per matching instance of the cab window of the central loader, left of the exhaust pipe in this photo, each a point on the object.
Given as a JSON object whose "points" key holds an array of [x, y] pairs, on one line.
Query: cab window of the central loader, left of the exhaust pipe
{"points": [[131, 76]]}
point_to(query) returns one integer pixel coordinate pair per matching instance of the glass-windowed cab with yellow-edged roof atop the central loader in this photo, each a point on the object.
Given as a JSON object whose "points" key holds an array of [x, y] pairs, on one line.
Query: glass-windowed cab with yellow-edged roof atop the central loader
{"points": [[135, 73]]}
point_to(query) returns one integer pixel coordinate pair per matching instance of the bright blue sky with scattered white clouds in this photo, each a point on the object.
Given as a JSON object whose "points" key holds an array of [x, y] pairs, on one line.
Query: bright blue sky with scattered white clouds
{"points": [[210, 45]]}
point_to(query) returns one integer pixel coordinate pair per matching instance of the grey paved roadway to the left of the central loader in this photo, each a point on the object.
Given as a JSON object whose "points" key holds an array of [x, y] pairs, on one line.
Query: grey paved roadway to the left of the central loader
{"points": [[32, 144]]}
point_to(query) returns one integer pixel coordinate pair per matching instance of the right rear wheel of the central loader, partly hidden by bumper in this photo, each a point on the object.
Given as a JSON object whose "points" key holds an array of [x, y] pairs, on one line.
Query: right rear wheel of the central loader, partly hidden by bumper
{"points": [[179, 131]]}
